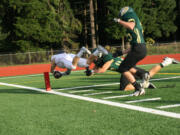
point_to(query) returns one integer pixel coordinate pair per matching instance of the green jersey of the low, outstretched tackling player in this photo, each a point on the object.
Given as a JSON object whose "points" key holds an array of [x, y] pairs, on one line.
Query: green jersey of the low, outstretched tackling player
{"points": [[116, 61]]}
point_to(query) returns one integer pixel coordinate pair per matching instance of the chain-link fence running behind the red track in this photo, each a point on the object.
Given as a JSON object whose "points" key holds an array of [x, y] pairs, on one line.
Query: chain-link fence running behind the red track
{"points": [[45, 56]]}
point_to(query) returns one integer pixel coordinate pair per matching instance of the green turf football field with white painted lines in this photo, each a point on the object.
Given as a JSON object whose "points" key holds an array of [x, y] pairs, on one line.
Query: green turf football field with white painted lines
{"points": [[81, 105]]}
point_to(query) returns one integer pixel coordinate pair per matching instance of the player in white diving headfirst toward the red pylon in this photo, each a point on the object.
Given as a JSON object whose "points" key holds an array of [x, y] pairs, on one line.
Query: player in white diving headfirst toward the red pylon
{"points": [[69, 61]]}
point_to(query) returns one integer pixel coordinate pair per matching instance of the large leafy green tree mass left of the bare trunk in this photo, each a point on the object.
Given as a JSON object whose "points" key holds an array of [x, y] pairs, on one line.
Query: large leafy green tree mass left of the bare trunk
{"points": [[37, 24]]}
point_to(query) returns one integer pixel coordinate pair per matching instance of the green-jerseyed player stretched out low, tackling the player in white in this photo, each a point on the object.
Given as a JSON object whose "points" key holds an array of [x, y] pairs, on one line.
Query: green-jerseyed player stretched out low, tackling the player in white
{"points": [[108, 62]]}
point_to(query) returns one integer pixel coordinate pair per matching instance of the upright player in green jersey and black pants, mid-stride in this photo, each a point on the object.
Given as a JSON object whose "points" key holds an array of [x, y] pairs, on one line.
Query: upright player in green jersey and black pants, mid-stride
{"points": [[129, 19]]}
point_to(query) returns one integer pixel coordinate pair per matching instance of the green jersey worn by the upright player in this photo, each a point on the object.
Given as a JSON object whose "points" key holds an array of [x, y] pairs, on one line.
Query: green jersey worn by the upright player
{"points": [[135, 36]]}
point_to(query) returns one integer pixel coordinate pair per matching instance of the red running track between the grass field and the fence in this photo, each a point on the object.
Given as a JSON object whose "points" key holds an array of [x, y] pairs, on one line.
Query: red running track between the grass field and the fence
{"points": [[41, 68]]}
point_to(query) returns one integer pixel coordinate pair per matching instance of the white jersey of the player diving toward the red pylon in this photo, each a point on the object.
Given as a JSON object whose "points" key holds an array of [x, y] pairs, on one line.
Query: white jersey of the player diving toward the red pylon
{"points": [[64, 60]]}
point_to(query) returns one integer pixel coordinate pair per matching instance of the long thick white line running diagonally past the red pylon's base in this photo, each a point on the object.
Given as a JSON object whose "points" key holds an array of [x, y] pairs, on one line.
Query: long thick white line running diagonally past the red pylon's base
{"points": [[121, 105]]}
